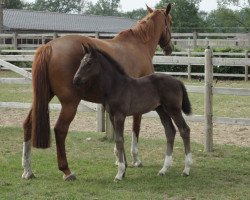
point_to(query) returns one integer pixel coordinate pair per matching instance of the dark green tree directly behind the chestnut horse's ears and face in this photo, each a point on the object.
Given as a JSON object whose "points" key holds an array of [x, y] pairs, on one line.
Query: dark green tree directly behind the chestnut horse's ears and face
{"points": [[185, 15]]}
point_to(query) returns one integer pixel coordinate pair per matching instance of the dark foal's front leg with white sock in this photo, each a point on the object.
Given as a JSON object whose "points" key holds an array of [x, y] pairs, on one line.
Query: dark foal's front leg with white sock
{"points": [[119, 141]]}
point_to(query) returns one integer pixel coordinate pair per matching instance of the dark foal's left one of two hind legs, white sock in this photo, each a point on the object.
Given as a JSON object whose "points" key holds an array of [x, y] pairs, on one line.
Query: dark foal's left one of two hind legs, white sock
{"points": [[170, 134]]}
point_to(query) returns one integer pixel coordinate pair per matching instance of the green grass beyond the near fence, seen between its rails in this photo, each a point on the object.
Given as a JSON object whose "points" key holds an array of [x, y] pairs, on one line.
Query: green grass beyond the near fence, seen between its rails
{"points": [[223, 104]]}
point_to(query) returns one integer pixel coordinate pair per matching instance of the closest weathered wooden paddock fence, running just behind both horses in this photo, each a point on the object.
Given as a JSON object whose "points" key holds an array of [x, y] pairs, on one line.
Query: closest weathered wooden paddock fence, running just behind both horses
{"points": [[208, 90]]}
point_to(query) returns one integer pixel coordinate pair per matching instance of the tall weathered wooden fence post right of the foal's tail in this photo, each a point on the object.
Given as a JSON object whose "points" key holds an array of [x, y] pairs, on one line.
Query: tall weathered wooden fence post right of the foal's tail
{"points": [[208, 102]]}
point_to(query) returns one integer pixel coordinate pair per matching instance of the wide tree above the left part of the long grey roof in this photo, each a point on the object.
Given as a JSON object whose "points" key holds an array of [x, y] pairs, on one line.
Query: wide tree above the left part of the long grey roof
{"points": [[62, 6]]}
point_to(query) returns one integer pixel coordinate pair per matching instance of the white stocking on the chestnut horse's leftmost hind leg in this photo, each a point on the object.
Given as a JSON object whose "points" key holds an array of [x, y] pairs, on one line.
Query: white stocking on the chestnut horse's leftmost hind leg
{"points": [[26, 160]]}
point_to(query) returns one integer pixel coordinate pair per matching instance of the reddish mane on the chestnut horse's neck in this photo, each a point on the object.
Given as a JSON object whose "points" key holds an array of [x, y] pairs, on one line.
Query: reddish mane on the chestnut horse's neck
{"points": [[144, 29]]}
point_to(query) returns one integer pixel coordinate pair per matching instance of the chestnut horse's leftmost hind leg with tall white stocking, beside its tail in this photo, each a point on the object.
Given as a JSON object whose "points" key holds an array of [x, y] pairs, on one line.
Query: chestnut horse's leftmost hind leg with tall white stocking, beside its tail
{"points": [[26, 157]]}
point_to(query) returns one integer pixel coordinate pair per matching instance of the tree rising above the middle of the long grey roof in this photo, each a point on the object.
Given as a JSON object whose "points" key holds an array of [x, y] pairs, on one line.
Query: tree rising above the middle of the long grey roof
{"points": [[104, 7]]}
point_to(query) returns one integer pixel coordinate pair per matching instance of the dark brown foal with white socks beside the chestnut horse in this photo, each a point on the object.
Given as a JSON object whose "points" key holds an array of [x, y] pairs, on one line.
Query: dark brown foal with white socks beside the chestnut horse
{"points": [[124, 96]]}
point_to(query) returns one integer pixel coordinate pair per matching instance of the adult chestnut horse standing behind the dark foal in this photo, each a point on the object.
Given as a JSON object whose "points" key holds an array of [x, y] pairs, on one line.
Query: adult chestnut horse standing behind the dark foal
{"points": [[55, 65]]}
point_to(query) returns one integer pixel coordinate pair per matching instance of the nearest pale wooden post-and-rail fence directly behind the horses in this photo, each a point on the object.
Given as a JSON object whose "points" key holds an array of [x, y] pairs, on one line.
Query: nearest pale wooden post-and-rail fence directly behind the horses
{"points": [[208, 89]]}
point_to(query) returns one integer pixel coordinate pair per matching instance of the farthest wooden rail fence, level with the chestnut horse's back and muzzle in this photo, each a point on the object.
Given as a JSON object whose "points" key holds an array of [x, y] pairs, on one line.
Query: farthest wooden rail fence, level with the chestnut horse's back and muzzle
{"points": [[181, 40]]}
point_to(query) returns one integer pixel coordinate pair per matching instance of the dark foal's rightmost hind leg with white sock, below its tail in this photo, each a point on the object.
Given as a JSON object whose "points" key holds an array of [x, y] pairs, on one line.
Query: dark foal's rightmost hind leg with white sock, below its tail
{"points": [[185, 134]]}
